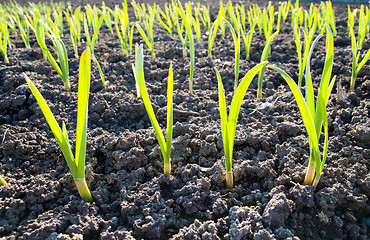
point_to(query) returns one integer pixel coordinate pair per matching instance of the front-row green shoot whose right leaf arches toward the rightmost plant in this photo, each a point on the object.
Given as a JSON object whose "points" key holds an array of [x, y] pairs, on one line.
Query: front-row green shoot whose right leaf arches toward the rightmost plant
{"points": [[228, 123]]}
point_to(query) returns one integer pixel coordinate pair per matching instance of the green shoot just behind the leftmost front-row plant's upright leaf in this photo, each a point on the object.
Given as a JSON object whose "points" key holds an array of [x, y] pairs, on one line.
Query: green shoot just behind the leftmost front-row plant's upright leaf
{"points": [[63, 69]]}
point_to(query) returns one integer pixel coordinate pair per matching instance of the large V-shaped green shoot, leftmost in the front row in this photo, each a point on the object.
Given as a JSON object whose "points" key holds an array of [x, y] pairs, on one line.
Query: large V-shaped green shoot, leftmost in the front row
{"points": [[75, 163]]}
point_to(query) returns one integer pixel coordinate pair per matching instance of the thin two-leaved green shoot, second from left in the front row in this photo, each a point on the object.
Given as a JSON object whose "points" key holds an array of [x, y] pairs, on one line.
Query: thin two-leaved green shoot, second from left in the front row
{"points": [[140, 81]]}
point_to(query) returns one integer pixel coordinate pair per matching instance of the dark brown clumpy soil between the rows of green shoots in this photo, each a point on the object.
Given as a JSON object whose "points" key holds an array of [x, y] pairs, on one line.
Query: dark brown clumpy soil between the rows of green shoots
{"points": [[133, 199]]}
